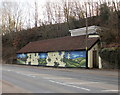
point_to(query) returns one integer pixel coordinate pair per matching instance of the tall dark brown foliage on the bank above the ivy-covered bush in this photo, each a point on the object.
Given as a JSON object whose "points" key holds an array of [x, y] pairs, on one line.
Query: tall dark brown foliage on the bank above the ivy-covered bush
{"points": [[109, 22]]}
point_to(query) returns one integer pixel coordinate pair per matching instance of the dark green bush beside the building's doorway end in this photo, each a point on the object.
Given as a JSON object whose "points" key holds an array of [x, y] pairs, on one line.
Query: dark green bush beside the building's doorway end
{"points": [[110, 57]]}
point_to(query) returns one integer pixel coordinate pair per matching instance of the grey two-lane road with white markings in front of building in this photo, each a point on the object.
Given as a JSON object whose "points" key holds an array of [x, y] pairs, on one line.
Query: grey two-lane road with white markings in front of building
{"points": [[32, 79]]}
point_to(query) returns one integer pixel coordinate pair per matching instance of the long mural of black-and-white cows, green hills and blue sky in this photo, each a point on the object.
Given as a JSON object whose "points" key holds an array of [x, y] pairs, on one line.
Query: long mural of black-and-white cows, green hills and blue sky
{"points": [[57, 59]]}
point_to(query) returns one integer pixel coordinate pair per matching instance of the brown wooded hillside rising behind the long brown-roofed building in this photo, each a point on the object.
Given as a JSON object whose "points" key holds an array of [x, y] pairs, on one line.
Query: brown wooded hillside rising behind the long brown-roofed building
{"points": [[14, 41]]}
